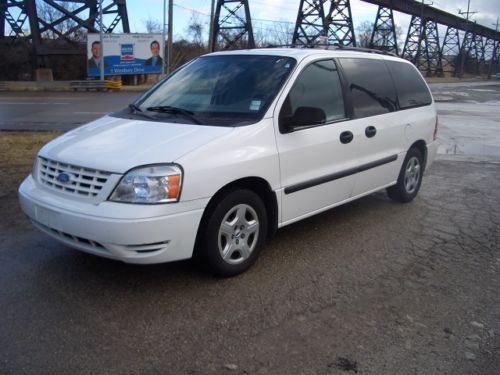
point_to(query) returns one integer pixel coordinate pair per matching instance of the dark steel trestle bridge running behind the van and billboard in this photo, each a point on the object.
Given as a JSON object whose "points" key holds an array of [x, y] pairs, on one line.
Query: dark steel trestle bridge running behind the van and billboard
{"points": [[319, 22]]}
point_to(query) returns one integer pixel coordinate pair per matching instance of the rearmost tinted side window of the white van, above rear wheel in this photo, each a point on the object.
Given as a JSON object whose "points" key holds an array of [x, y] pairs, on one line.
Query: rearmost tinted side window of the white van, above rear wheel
{"points": [[411, 88]]}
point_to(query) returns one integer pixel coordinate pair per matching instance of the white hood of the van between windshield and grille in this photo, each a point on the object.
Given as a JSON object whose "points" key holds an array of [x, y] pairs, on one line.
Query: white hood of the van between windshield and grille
{"points": [[116, 145]]}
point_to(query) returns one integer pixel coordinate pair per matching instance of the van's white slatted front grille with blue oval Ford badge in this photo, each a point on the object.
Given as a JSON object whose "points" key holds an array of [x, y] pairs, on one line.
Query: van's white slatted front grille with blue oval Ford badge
{"points": [[83, 182]]}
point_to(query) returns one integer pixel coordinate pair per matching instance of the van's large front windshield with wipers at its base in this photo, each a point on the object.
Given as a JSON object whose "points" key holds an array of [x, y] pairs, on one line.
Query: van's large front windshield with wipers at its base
{"points": [[224, 90]]}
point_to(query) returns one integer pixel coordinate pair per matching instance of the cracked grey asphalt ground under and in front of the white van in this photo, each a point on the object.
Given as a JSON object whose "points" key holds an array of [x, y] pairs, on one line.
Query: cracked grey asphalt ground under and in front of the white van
{"points": [[373, 287]]}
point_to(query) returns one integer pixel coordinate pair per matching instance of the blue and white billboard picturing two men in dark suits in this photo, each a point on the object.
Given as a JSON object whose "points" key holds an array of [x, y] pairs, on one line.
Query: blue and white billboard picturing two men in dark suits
{"points": [[125, 54]]}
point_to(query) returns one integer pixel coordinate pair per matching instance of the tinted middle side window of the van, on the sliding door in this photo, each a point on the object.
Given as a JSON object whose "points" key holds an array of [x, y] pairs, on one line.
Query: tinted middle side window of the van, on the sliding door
{"points": [[371, 86]]}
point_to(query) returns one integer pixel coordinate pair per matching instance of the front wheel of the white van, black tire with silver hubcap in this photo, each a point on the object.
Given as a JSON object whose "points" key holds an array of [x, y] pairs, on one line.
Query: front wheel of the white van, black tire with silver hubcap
{"points": [[234, 233]]}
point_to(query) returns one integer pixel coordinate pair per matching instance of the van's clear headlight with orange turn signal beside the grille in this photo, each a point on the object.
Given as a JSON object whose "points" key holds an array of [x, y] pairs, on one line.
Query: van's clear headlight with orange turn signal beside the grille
{"points": [[149, 185]]}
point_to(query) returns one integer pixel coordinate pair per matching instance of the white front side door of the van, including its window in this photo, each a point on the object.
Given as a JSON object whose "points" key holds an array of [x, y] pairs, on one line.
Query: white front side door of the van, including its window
{"points": [[317, 146]]}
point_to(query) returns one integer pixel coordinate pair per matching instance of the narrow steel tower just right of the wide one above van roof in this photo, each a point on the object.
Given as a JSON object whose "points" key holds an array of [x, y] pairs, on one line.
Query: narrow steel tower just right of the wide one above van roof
{"points": [[384, 31]]}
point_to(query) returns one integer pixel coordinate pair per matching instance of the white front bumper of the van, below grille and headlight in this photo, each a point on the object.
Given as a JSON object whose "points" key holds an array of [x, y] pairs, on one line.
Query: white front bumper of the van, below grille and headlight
{"points": [[132, 233]]}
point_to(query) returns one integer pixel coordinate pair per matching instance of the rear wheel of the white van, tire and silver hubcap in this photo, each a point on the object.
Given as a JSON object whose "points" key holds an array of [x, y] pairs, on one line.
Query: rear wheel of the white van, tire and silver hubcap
{"points": [[409, 179]]}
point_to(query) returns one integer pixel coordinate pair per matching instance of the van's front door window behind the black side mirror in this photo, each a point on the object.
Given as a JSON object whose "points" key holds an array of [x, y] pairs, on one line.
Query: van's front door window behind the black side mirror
{"points": [[315, 98]]}
